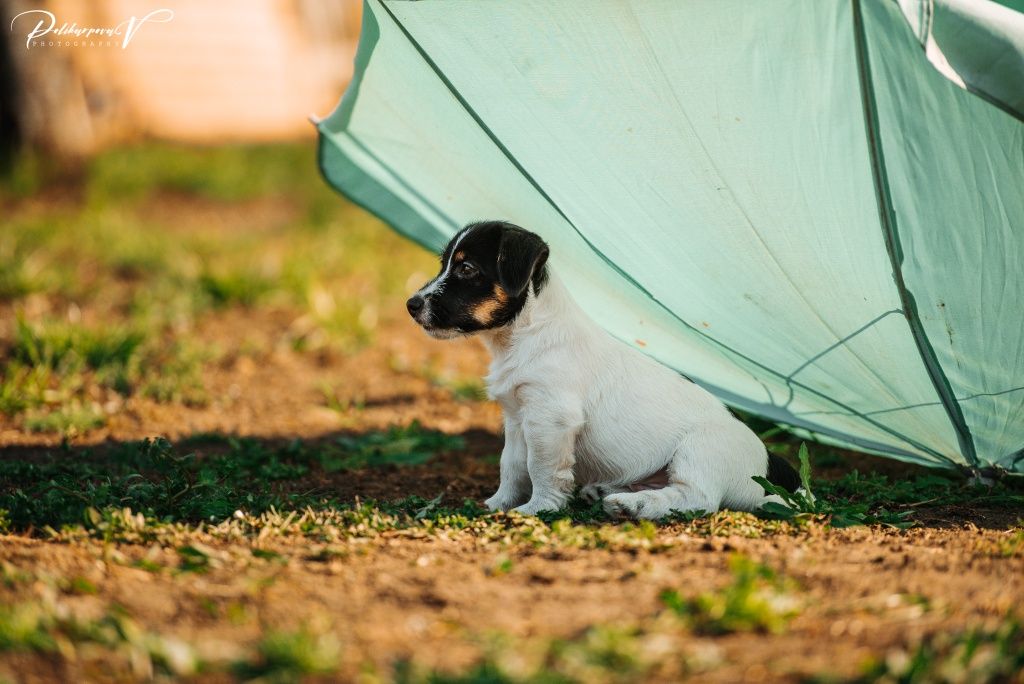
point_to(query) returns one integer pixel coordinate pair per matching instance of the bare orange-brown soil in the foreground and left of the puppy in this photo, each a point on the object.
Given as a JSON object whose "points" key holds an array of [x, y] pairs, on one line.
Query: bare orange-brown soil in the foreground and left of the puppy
{"points": [[411, 598]]}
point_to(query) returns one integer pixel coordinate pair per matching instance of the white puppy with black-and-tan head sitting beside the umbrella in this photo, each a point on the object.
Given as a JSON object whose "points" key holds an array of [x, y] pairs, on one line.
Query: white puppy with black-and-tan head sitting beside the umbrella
{"points": [[580, 407]]}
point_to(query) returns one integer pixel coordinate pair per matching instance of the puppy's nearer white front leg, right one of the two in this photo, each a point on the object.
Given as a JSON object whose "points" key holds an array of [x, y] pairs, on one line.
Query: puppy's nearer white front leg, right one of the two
{"points": [[550, 432]]}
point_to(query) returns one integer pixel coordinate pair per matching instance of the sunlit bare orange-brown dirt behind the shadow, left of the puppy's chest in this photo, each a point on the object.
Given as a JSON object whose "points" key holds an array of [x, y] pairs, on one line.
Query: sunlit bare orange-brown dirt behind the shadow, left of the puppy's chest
{"points": [[262, 388]]}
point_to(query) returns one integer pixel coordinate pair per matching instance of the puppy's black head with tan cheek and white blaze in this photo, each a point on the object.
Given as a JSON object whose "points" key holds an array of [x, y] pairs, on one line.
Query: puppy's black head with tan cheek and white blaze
{"points": [[488, 272]]}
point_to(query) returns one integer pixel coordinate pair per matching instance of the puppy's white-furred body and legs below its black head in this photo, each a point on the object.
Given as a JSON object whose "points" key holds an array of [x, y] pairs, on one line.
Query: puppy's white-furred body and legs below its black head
{"points": [[582, 408]]}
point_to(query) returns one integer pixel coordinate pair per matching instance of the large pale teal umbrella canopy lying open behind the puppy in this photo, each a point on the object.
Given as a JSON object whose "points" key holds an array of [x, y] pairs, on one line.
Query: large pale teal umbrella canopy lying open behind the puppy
{"points": [[815, 210]]}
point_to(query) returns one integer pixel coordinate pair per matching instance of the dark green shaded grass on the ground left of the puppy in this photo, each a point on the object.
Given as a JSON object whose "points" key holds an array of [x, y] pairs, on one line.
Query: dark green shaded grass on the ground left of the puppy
{"points": [[161, 482]]}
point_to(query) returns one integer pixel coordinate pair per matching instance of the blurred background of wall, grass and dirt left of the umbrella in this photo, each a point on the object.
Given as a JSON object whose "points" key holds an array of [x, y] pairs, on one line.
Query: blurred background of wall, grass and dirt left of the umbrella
{"points": [[172, 262]]}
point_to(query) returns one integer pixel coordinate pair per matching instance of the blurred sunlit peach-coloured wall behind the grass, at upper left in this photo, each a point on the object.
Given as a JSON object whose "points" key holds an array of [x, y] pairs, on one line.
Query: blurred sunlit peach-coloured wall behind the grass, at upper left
{"points": [[218, 71]]}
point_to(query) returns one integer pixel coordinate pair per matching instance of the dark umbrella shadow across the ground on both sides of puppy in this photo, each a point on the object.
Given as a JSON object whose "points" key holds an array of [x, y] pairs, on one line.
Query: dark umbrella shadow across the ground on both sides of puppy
{"points": [[212, 476]]}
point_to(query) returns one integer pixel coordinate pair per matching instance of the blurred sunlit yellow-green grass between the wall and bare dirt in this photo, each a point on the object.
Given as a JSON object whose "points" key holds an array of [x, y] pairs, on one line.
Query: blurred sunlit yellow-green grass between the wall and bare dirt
{"points": [[109, 270]]}
